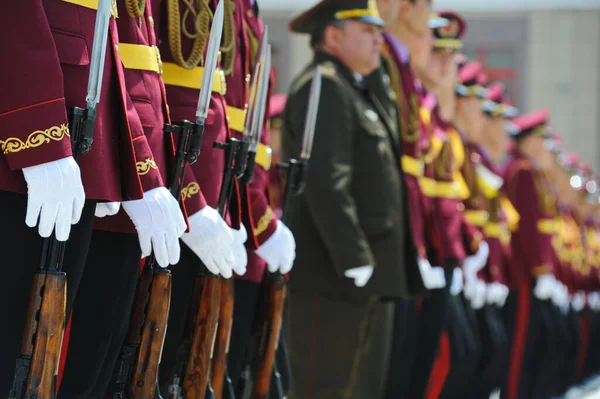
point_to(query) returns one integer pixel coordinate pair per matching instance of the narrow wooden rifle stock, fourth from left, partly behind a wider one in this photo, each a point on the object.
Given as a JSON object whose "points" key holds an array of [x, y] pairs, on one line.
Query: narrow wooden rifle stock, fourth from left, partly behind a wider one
{"points": [[219, 369]]}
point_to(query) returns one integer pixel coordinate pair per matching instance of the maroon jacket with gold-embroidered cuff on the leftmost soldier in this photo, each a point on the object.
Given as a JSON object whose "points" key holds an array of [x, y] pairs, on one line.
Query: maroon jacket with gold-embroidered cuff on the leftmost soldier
{"points": [[46, 77]]}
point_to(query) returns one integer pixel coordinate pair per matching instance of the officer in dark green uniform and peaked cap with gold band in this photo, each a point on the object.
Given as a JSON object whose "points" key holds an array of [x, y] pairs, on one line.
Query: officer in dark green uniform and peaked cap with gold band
{"points": [[349, 228]]}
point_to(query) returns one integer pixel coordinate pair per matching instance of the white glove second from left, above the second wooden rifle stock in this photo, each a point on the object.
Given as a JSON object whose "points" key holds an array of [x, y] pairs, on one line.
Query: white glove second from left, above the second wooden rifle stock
{"points": [[159, 223]]}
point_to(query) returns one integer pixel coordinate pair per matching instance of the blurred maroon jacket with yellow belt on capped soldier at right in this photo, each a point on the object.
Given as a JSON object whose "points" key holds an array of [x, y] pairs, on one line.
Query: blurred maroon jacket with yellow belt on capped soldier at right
{"points": [[531, 242]]}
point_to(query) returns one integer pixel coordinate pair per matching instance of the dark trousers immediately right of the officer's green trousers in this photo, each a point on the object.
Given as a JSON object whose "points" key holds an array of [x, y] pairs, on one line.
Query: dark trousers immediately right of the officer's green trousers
{"points": [[404, 346]]}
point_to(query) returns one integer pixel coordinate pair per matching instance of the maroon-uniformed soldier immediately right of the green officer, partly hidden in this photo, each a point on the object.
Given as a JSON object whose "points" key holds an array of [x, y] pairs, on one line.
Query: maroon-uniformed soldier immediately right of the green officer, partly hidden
{"points": [[407, 45]]}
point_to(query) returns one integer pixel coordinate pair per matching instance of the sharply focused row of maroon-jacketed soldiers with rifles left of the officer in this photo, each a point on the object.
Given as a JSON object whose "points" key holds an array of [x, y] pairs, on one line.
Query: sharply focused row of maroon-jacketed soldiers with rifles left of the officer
{"points": [[134, 195]]}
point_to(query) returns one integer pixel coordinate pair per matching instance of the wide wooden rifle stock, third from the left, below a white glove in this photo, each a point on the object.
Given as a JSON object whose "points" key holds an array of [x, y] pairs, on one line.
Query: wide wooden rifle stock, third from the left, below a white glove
{"points": [[197, 371]]}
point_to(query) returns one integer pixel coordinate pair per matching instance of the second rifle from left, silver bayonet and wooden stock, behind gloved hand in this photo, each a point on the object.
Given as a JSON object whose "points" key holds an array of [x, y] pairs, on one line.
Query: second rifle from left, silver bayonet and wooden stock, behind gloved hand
{"points": [[137, 375]]}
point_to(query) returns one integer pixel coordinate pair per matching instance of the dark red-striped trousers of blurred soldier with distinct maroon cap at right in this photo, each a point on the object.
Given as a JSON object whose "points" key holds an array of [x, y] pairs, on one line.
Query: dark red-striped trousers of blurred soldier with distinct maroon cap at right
{"points": [[528, 342]]}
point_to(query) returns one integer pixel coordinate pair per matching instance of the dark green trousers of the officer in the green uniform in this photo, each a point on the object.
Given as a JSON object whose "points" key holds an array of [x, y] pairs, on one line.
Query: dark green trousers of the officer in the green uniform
{"points": [[331, 347]]}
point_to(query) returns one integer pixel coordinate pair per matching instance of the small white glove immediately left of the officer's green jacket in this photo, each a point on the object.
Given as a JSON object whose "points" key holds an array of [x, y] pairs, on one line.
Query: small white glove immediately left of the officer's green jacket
{"points": [[279, 251]]}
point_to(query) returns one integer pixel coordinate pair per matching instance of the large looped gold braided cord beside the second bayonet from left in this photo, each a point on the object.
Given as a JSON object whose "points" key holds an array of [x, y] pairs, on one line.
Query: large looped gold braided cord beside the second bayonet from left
{"points": [[200, 11]]}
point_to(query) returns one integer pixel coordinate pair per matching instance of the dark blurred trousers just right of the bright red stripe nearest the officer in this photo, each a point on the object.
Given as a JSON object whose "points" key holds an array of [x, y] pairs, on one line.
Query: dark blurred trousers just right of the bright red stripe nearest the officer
{"points": [[465, 347]]}
